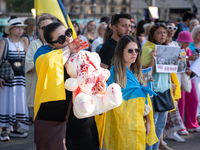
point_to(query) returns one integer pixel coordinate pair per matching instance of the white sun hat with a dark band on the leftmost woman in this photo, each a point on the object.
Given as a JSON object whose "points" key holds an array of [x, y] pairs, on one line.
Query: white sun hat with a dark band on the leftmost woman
{"points": [[12, 23]]}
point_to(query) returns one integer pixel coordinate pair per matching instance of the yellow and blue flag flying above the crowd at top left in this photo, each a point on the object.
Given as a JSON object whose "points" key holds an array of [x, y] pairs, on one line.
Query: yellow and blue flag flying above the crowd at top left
{"points": [[55, 8]]}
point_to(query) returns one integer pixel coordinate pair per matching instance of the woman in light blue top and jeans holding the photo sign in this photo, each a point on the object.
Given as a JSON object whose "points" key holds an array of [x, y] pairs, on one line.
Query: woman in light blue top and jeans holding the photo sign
{"points": [[161, 81]]}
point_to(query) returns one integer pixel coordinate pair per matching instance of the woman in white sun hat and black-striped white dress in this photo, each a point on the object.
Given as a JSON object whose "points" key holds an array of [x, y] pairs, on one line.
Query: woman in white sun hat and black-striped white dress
{"points": [[13, 110]]}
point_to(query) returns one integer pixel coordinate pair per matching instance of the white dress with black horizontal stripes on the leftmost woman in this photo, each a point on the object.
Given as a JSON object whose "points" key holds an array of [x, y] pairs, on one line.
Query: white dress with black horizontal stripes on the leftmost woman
{"points": [[13, 96]]}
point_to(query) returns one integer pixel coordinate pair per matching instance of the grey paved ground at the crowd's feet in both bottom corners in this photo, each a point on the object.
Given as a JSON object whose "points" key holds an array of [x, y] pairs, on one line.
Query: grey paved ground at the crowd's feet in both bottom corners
{"points": [[192, 142]]}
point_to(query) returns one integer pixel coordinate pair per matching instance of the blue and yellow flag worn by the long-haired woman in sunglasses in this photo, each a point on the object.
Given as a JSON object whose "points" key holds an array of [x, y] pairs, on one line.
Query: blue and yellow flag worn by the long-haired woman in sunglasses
{"points": [[125, 126]]}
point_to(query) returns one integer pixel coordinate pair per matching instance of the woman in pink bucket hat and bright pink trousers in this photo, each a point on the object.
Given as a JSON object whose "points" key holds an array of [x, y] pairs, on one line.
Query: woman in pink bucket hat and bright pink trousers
{"points": [[188, 103]]}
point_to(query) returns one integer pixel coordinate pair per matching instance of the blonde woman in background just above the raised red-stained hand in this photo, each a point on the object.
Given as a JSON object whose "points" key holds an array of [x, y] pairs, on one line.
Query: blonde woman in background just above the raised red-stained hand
{"points": [[90, 33]]}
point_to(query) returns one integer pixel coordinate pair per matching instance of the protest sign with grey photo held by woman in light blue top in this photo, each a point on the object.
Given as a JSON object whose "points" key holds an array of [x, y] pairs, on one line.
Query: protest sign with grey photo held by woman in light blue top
{"points": [[167, 59]]}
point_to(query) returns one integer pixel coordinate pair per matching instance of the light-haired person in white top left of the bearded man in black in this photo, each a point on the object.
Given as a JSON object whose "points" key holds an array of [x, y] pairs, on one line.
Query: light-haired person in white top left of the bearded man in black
{"points": [[101, 28]]}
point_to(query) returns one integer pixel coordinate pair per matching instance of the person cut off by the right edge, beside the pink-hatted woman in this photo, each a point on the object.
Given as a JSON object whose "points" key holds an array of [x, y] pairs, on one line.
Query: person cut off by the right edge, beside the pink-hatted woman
{"points": [[195, 48]]}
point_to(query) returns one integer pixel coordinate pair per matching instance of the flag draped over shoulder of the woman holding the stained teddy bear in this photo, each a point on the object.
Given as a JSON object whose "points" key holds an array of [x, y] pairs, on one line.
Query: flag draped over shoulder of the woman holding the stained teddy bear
{"points": [[50, 85]]}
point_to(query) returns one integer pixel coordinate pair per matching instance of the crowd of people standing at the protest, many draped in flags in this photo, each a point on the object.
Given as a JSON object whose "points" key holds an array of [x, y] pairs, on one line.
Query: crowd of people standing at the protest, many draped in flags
{"points": [[125, 48]]}
